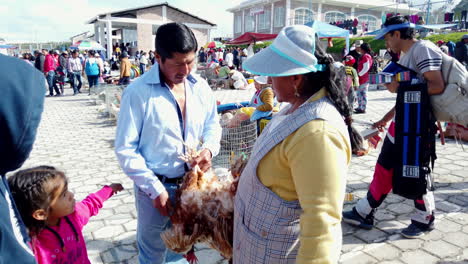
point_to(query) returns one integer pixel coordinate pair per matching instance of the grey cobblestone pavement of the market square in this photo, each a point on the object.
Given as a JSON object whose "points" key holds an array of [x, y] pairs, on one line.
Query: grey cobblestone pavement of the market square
{"points": [[77, 137]]}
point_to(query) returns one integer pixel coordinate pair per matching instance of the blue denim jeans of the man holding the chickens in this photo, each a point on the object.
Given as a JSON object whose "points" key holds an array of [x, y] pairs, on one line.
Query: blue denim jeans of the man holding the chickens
{"points": [[150, 225]]}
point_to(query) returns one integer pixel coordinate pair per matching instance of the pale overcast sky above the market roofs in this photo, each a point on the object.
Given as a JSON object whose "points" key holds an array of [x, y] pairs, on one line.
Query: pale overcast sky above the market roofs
{"points": [[58, 20]]}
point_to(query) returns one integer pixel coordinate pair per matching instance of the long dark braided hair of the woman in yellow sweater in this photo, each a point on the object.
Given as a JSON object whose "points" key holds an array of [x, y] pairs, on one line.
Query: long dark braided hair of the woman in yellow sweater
{"points": [[332, 78]]}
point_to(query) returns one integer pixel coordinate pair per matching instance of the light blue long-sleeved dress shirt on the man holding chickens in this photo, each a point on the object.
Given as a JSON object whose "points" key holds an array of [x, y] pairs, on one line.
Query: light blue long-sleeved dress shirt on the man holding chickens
{"points": [[149, 136]]}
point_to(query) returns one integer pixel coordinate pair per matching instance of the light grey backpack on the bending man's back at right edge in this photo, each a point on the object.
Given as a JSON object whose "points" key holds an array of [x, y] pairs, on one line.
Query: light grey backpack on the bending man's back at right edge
{"points": [[452, 104]]}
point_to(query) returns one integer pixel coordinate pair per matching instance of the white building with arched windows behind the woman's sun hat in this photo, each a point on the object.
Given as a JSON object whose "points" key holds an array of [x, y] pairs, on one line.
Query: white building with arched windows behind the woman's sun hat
{"points": [[270, 16]]}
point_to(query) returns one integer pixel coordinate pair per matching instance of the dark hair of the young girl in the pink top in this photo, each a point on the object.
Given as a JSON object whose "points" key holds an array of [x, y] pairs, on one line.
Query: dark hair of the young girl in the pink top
{"points": [[33, 189]]}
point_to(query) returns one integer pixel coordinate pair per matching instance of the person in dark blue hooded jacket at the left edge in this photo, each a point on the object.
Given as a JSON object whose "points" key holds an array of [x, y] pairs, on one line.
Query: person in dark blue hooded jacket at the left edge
{"points": [[21, 106]]}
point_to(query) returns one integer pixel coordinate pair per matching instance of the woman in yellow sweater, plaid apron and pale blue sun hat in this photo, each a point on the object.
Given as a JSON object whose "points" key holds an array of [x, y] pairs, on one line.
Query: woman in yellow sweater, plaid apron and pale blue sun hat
{"points": [[290, 195]]}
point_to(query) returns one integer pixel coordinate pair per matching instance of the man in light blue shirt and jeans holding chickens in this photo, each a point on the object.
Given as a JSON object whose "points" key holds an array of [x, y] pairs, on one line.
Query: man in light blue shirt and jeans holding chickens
{"points": [[159, 112]]}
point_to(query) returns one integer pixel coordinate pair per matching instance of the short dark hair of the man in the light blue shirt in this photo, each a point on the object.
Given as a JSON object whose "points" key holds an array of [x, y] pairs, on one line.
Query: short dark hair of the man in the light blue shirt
{"points": [[174, 37]]}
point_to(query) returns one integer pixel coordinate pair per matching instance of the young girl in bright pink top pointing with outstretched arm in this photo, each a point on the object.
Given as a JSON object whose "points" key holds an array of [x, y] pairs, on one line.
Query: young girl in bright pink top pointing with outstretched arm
{"points": [[54, 220]]}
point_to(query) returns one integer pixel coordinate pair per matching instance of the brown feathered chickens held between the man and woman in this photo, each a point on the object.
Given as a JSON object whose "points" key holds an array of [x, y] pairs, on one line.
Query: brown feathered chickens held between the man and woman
{"points": [[204, 210]]}
